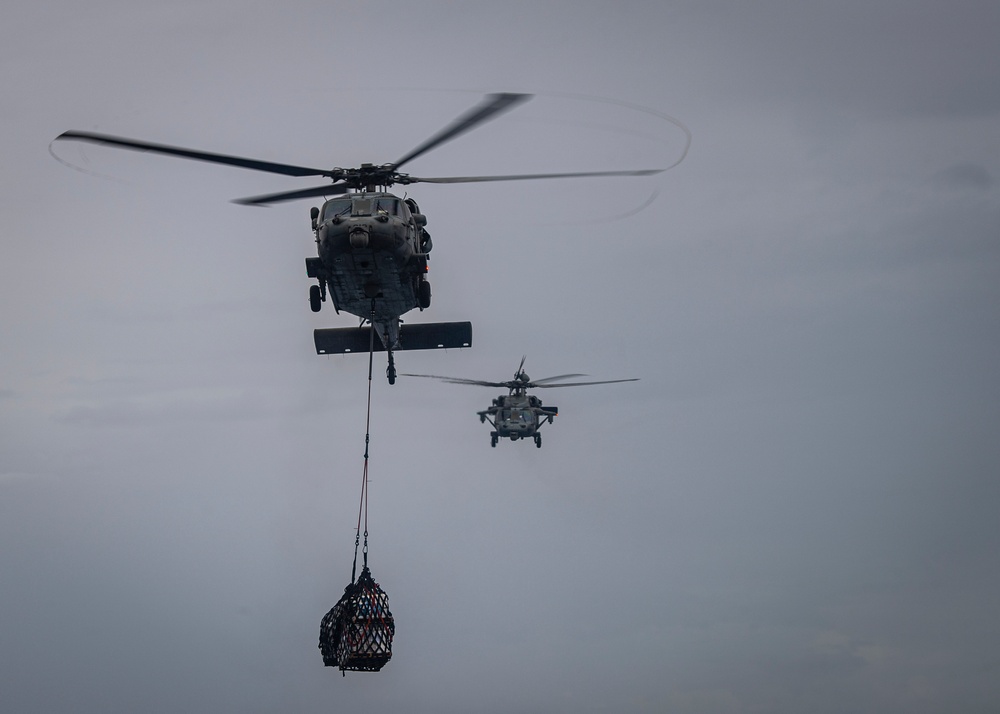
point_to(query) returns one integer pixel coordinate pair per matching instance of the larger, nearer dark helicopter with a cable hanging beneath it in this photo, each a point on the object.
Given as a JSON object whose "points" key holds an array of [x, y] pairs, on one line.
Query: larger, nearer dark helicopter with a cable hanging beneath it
{"points": [[372, 245]]}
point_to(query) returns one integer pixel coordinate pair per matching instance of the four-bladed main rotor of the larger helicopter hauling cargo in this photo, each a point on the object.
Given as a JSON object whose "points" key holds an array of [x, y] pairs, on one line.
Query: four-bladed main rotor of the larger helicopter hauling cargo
{"points": [[365, 177]]}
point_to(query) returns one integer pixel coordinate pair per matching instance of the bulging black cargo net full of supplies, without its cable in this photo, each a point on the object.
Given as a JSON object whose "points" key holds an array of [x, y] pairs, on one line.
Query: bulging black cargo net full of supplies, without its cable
{"points": [[357, 633]]}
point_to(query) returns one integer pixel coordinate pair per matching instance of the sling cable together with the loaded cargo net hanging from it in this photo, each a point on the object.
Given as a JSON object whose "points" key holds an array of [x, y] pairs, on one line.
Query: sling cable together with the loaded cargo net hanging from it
{"points": [[357, 633]]}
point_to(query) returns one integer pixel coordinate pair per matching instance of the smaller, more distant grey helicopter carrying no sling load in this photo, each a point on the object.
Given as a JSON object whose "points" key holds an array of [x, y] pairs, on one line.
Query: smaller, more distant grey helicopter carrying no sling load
{"points": [[519, 415]]}
